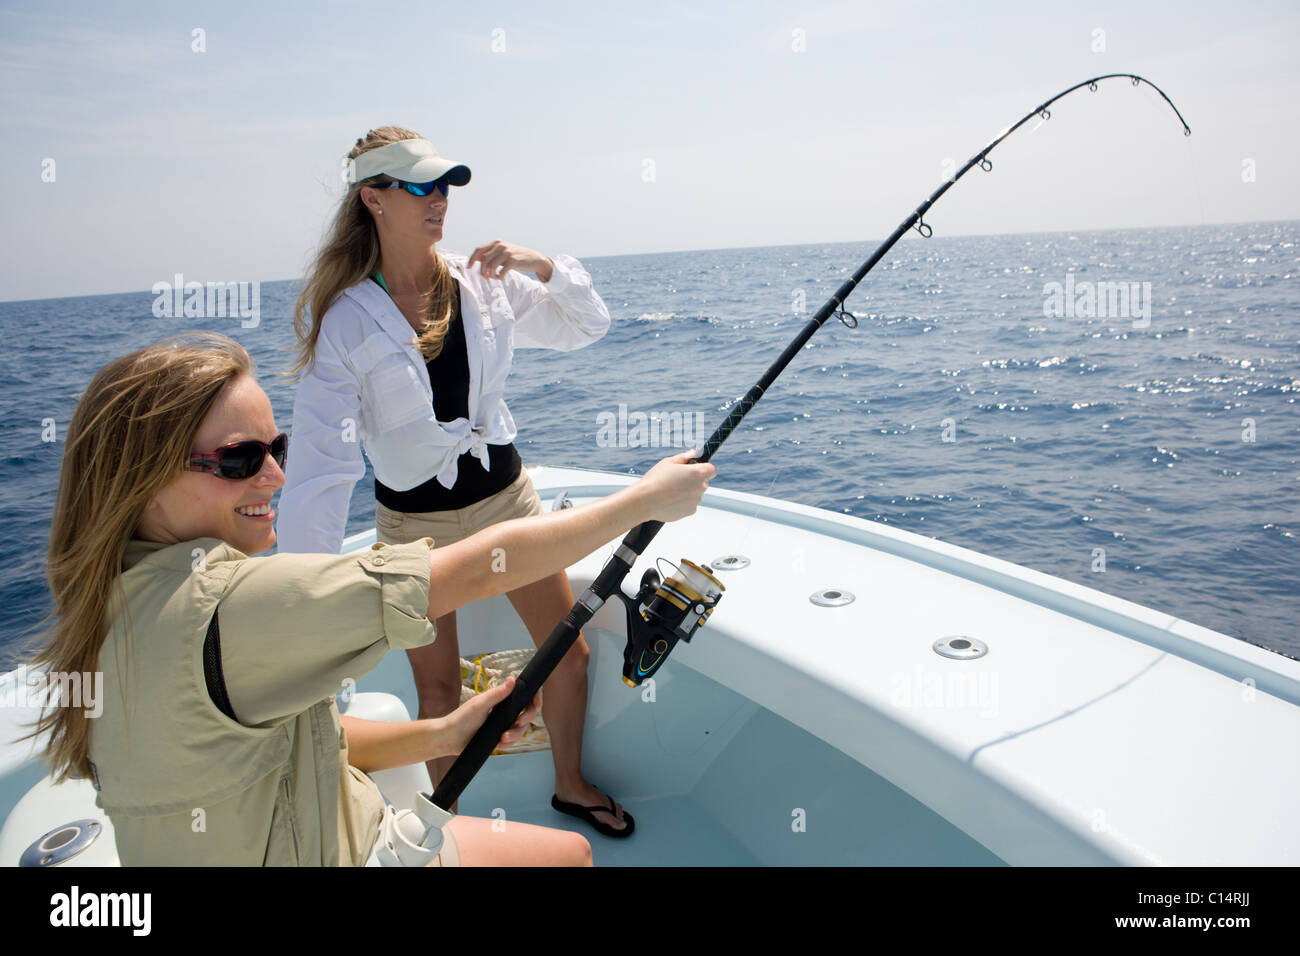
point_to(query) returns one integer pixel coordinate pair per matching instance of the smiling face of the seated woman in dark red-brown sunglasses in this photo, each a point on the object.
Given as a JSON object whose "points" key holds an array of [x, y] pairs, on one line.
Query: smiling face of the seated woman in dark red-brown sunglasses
{"points": [[201, 505]]}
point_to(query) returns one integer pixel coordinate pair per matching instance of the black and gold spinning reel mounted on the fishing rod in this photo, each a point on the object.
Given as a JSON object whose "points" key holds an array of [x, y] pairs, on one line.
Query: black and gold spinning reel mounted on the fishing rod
{"points": [[665, 612]]}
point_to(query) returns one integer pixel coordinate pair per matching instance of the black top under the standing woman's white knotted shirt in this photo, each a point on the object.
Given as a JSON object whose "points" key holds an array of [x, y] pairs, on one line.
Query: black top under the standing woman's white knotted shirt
{"points": [[449, 375]]}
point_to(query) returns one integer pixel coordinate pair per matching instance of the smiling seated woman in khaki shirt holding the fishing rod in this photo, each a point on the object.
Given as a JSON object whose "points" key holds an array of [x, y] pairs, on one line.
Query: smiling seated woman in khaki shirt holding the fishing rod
{"points": [[220, 742]]}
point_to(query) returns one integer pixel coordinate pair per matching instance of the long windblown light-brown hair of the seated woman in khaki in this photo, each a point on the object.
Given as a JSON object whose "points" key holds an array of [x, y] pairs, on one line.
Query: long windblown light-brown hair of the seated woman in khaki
{"points": [[131, 436]]}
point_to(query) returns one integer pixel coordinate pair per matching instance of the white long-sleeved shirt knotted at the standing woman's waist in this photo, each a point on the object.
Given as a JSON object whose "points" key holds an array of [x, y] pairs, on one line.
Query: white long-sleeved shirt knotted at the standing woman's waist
{"points": [[369, 382]]}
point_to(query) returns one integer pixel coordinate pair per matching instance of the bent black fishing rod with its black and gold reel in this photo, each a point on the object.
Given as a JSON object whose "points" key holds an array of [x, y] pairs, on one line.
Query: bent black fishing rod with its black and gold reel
{"points": [[662, 613]]}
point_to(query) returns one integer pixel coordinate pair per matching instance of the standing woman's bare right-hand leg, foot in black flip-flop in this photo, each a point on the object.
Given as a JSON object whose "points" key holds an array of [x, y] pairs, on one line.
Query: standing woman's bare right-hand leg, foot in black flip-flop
{"points": [[541, 605]]}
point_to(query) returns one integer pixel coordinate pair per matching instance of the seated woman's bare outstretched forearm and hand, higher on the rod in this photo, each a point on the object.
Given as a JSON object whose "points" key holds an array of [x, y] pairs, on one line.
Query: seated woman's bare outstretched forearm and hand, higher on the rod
{"points": [[522, 551]]}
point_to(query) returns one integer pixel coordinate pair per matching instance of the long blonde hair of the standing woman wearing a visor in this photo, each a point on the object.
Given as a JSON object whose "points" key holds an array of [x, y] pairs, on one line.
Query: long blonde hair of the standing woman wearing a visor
{"points": [[352, 254]]}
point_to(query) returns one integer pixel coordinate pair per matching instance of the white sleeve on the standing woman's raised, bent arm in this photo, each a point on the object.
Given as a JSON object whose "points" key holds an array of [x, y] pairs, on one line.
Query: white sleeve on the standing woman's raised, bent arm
{"points": [[564, 314]]}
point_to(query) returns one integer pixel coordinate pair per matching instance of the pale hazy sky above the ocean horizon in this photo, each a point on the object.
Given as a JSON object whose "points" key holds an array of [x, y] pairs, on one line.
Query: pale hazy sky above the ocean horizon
{"points": [[224, 166]]}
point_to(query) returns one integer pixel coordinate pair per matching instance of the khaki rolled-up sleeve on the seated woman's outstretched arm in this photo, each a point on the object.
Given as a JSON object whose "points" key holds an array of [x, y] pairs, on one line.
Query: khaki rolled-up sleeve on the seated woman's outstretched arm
{"points": [[297, 629]]}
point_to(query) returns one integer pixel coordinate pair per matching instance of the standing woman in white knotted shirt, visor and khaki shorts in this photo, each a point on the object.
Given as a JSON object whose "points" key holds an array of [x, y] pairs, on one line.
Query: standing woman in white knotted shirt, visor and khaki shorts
{"points": [[409, 348]]}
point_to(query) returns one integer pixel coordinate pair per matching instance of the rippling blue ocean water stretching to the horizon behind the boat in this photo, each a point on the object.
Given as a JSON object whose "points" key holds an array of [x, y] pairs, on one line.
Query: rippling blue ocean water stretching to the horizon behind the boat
{"points": [[965, 406]]}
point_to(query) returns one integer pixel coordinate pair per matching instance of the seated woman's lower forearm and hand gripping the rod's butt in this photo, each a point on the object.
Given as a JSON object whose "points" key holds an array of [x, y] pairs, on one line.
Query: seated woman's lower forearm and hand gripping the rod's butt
{"points": [[385, 745]]}
